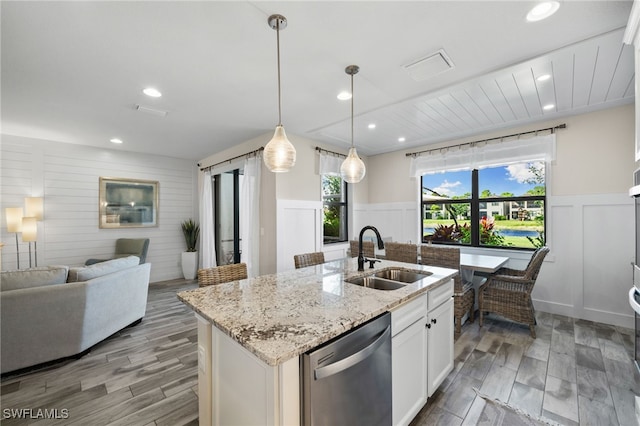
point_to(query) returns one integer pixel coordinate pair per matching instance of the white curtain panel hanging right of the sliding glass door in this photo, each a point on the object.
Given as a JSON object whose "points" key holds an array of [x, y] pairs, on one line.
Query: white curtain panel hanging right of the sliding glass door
{"points": [[250, 214]]}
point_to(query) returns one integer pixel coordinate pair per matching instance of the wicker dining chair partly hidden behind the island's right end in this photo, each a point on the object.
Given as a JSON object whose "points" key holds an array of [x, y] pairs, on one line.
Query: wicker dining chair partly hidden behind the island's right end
{"points": [[463, 293]]}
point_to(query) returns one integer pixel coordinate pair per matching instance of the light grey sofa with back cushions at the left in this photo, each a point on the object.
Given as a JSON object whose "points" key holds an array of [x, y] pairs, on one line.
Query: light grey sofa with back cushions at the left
{"points": [[56, 312]]}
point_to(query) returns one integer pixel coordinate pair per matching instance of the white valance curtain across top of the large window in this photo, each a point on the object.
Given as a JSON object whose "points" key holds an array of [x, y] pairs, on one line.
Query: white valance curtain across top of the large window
{"points": [[488, 154]]}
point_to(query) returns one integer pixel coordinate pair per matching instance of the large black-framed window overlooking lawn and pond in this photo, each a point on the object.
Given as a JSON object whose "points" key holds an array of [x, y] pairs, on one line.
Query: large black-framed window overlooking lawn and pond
{"points": [[501, 206]]}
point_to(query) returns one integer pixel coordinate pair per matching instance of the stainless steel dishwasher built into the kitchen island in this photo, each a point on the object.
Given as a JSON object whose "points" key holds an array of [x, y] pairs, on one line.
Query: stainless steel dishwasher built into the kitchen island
{"points": [[347, 381]]}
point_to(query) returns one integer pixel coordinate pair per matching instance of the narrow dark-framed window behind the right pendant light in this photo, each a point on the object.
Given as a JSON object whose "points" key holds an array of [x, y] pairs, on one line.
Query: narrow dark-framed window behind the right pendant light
{"points": [[335, 203]]}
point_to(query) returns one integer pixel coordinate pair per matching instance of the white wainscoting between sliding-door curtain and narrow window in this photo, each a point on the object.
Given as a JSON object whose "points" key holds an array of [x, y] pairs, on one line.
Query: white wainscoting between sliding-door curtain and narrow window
{"points": [[299, 230]]}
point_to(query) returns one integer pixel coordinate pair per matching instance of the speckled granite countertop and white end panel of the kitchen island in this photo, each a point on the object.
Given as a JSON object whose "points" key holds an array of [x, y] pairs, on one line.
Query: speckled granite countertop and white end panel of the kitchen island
{"points": [[252, 332]]}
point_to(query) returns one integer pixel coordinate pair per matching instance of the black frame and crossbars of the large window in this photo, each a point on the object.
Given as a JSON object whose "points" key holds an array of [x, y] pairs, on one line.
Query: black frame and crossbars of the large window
{"points": [[475, 201]]}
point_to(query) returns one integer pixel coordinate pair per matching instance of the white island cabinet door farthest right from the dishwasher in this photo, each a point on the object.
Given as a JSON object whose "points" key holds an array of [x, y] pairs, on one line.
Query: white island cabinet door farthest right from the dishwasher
{"points": [[439, 344]]}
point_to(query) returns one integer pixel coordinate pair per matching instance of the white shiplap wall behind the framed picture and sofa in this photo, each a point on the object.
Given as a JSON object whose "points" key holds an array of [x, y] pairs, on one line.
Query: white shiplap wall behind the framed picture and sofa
{"points": [[67, 177]]}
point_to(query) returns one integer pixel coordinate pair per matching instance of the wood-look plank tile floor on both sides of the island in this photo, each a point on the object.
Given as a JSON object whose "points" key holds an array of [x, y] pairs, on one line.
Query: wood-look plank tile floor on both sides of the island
{"points": [[575, 372]]}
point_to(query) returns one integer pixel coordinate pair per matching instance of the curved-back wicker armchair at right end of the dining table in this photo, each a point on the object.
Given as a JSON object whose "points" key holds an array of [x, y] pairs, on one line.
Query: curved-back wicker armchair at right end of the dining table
{"points": [[508, 292]]}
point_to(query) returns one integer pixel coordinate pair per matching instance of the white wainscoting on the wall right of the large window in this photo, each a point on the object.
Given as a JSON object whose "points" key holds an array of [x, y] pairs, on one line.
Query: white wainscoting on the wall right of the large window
{"points": [[588, 275]]}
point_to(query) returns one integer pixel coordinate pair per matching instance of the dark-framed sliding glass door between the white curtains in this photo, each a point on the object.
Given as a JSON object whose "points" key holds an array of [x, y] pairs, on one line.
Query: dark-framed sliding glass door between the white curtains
{"points": [[227, 216]]}
